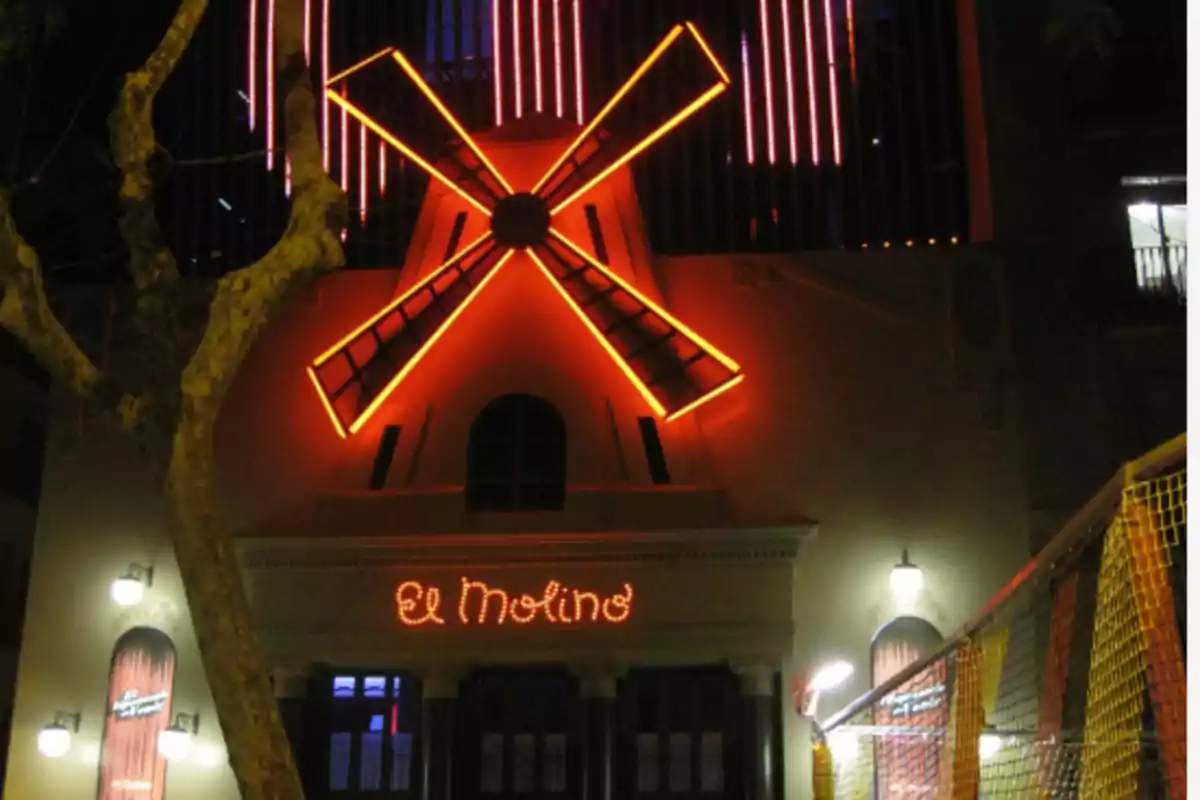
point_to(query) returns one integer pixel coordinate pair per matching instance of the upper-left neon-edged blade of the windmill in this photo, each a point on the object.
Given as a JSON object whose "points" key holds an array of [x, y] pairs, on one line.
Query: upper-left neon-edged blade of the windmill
{"points": [[388, 95]]}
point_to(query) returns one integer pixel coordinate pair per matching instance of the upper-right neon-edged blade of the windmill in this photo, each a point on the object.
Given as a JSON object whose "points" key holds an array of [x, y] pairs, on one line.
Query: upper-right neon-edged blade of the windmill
{"points": [[637, 117]]}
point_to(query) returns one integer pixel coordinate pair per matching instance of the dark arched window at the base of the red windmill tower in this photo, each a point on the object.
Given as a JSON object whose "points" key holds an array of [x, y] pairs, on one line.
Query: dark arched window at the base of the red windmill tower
{"points": [[517, 458]]}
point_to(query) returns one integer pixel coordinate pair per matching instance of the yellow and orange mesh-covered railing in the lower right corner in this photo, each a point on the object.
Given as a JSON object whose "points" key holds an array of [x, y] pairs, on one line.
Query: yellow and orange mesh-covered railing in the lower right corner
{"points": [[1075, 689]]}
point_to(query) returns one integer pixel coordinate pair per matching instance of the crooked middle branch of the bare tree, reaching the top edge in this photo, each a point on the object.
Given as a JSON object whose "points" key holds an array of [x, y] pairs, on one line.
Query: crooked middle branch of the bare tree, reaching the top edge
{"points": [[134, 145]]}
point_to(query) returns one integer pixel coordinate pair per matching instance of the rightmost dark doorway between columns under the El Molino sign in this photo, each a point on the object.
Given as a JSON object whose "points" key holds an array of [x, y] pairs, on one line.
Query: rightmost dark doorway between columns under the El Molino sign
{"points": [[677, 736]]}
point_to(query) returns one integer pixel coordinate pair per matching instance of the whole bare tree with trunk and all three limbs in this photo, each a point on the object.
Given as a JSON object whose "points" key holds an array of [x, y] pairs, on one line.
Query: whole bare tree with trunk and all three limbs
{"points": [[242, 308]]}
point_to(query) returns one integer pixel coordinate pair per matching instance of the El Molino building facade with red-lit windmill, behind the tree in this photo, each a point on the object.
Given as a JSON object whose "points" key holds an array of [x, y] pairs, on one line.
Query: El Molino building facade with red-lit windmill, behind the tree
{"points": [[579, 520]]}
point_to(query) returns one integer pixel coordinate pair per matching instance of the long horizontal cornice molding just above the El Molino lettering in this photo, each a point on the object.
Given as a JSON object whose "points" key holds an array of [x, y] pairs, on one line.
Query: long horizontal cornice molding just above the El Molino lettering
{"points": [[779, 544]]}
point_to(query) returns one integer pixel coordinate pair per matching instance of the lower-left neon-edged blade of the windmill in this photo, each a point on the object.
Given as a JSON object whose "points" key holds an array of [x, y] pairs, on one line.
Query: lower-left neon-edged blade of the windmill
{"points": [[356, 376]]}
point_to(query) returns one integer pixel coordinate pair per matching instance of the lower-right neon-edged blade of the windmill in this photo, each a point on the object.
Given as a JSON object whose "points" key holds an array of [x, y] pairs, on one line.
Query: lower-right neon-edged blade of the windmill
{"points": [[671, 366]]}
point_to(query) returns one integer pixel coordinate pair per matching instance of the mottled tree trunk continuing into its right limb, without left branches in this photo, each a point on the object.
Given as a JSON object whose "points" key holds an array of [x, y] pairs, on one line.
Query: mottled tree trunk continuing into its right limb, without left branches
{"points": [[243, 305]]}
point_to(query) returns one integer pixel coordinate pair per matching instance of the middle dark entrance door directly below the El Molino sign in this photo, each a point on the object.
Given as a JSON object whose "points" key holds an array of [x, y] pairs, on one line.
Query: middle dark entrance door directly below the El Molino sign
{"points": [[520, 736]]}
